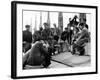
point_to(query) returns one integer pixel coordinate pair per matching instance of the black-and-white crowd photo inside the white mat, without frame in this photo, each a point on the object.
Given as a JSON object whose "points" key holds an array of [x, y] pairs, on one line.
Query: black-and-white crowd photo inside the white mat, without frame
{"points": [[56, 39]]}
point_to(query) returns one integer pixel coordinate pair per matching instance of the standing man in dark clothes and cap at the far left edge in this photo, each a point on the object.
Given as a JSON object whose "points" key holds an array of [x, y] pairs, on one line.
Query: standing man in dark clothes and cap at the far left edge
{"points": [[27, 39]]}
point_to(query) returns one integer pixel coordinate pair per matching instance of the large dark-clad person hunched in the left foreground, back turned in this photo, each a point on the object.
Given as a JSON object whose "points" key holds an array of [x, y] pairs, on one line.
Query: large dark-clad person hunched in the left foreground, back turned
{"points": [[37, 55]]}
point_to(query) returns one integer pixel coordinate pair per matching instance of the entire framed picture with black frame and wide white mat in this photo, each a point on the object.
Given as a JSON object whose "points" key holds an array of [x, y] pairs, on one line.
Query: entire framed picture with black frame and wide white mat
{"points": [[54, 39]]}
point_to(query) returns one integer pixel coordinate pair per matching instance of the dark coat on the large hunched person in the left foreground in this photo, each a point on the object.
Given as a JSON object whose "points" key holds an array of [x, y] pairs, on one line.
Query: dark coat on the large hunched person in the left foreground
{"points": [[36, 54]]}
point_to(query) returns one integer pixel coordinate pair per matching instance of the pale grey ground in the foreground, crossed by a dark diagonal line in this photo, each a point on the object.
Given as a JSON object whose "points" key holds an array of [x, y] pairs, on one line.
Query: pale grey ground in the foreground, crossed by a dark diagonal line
{"points": [[65, 60]]}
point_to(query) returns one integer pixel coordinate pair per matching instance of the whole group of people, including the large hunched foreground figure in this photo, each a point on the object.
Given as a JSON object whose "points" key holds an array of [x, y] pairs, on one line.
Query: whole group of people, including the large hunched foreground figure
{"points": [[39, 47]]}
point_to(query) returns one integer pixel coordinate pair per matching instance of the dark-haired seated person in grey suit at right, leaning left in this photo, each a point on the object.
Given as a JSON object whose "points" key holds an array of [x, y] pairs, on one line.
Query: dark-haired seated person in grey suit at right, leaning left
{"points": [[82, 38]]}
